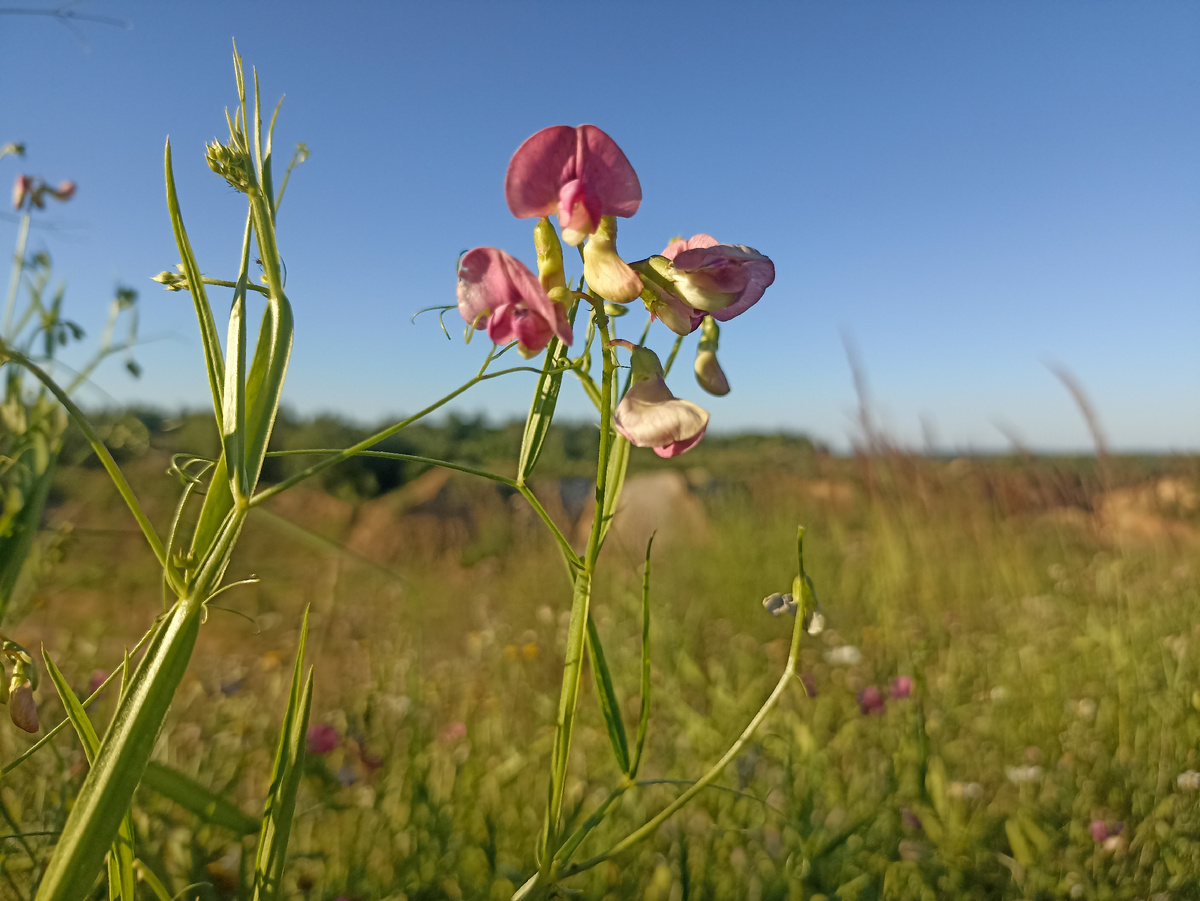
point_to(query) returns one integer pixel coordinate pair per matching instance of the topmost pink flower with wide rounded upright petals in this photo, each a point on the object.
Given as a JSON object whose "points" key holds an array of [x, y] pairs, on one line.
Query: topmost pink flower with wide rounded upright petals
{"points": [[579, 173]]}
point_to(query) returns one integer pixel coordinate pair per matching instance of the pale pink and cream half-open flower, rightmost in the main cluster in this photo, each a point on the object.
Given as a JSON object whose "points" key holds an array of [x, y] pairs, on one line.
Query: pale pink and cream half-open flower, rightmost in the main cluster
{"points": [[721, 279]]}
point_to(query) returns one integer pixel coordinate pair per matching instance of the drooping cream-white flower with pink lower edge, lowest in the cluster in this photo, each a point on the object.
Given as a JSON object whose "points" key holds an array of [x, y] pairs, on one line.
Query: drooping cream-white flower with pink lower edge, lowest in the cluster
{"points": [[651, 417]]}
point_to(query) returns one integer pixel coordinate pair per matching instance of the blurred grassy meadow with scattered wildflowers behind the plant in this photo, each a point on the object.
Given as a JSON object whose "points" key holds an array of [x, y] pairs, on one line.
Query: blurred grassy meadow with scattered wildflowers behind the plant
{"points": [[1046, 612]]}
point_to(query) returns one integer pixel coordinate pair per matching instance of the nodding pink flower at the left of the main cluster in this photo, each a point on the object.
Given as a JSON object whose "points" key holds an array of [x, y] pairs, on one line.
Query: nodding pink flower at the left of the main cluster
{"points": [[501, 295]]}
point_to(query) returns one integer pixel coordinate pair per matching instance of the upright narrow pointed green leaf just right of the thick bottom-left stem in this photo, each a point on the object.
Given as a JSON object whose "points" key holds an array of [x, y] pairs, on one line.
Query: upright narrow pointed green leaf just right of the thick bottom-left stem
{"points": [[286, 774]]}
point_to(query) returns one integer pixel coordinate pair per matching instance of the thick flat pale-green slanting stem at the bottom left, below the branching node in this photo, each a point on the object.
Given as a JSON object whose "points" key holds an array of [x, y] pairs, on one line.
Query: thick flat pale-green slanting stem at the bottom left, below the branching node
{"points": [[122, 759]]}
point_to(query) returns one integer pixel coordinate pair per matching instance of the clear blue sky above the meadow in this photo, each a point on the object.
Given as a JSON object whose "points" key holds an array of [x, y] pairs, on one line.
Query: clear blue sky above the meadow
{"points": [[968, 191]]}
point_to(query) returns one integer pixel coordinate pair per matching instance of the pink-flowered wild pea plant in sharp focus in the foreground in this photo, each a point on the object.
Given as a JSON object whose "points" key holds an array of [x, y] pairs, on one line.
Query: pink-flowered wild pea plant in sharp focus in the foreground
{"points": [[581, 176]]}
